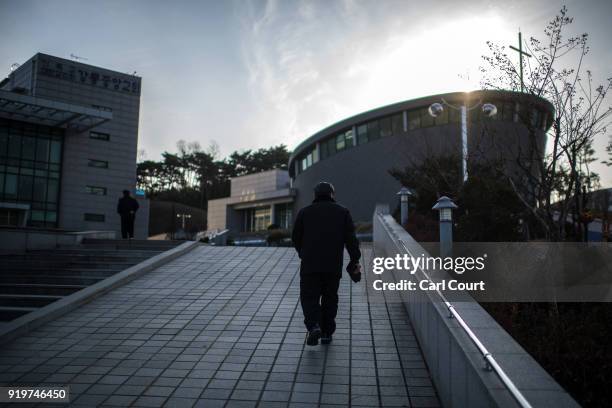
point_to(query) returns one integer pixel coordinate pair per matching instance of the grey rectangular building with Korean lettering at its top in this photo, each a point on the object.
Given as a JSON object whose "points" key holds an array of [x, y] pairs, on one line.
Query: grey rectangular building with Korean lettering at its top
{"points": [[68, 145]]}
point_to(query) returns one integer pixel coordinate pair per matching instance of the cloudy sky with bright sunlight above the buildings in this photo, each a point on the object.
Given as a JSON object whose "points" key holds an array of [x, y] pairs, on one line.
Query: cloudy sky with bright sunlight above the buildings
{"points": [[250, 74]]}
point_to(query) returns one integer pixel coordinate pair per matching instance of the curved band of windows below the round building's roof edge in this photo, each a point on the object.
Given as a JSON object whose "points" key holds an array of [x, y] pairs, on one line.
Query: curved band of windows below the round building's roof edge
{"points": [[393, 125]]}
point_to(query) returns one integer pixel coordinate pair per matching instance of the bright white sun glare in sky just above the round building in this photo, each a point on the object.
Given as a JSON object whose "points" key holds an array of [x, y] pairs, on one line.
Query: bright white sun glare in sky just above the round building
{"points": [[441, 58]]}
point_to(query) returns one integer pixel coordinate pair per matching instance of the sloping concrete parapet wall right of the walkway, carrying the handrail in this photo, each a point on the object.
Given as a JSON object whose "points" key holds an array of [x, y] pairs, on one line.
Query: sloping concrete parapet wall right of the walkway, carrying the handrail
{"points": [[472, 360]]}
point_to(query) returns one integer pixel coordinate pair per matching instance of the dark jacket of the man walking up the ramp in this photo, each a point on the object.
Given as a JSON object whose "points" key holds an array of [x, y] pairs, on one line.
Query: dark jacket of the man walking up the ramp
{"points": [[320, 233]]}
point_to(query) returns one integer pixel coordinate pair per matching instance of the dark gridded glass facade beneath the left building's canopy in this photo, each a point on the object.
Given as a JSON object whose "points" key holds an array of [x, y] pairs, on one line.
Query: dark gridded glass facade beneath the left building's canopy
{"points": [[30, 166]]}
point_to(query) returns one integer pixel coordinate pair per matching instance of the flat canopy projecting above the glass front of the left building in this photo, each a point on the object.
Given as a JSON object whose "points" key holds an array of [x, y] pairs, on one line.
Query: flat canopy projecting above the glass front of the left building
{"points": [[51, 113]]}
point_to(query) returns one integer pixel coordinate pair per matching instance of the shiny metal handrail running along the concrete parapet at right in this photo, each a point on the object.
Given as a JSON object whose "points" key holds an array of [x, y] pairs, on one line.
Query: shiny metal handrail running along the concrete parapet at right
{"points": [[490, 362]]}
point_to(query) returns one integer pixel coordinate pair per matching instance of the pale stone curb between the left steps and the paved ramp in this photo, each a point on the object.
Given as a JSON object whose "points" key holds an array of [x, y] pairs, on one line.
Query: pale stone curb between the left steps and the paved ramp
{"points": [[30, 321]]}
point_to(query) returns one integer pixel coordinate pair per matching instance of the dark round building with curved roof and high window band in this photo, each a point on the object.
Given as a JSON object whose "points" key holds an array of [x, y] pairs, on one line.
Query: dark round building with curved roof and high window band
{"points": [[356, 154]]}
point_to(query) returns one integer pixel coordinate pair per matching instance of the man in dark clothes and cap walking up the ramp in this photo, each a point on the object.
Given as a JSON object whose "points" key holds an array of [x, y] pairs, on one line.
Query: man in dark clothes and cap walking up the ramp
{"points": [[320, 233]]}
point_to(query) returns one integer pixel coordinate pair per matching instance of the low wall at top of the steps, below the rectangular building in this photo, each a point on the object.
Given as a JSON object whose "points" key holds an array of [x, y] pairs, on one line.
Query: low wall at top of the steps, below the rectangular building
{"points": [[14, 240]]}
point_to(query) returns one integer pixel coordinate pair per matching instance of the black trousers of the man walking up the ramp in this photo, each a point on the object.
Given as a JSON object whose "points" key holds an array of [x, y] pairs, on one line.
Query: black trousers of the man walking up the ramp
{"points": [[319, 299]]}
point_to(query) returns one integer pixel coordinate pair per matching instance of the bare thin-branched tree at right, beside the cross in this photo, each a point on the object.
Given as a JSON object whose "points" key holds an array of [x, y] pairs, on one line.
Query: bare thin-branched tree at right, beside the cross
{"points": [[555, 179]]}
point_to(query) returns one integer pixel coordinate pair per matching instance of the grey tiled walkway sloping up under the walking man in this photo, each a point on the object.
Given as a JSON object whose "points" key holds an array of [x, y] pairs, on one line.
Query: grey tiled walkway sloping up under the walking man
{"points": [[222, 327]]}
